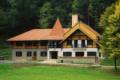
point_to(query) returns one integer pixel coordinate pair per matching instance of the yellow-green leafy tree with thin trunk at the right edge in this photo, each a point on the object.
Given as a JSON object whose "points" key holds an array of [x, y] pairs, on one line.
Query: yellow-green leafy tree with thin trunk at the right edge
{"points": [[110, 43]]}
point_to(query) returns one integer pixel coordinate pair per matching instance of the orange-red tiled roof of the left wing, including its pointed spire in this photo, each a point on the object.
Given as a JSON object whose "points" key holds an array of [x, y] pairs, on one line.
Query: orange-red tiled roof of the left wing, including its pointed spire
{"points": [[42, 34]]}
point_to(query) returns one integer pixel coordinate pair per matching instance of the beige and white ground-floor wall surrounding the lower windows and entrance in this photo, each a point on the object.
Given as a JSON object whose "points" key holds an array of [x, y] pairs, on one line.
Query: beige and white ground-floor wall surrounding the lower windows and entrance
{"points": [[60, 52]]}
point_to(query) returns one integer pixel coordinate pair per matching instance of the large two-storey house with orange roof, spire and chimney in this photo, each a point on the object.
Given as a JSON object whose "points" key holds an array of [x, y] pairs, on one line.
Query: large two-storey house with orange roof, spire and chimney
{"points": [[78, 41]]}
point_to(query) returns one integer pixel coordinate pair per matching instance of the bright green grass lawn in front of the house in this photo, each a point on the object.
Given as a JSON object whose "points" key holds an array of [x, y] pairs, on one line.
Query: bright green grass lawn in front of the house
{"points": [[42, 72]]}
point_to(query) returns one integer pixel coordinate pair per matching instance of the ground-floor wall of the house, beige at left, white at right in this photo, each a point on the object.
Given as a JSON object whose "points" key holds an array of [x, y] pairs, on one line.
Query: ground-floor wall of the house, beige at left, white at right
{"points": [[59, 53]]}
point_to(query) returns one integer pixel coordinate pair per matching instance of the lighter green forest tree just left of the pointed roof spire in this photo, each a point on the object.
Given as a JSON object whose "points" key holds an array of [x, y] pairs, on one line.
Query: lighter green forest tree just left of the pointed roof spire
{"points": [[46, 15]]}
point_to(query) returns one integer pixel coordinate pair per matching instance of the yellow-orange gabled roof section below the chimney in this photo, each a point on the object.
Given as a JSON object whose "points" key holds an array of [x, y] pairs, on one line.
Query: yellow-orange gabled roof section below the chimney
{"points": [[92, 34]]}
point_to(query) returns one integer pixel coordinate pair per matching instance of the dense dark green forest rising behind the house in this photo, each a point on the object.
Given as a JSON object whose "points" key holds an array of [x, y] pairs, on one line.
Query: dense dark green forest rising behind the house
{"points": [[17, 16]]}
